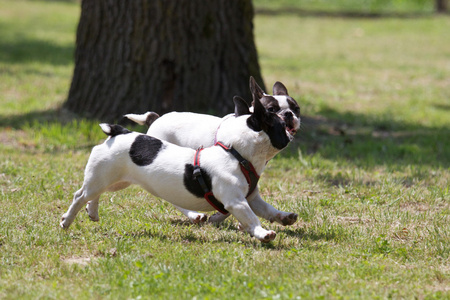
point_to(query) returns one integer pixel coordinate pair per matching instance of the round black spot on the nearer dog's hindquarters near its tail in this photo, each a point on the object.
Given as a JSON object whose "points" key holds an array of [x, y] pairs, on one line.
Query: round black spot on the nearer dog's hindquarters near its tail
{"points": [[144, 150]]}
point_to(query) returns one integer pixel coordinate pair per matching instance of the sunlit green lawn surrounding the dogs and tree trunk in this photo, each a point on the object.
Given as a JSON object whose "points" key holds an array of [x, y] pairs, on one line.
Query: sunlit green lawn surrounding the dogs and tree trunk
{"points": [[368, 174]]}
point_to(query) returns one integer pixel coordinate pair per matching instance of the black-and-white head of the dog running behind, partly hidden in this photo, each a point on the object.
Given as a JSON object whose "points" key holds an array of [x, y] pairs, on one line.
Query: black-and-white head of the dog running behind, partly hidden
{"points": [[280, 103]]}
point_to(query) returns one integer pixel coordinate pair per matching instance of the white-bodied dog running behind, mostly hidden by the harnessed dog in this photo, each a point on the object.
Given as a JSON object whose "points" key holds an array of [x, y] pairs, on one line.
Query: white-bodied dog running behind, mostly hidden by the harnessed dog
{"points": [[199, 130]]}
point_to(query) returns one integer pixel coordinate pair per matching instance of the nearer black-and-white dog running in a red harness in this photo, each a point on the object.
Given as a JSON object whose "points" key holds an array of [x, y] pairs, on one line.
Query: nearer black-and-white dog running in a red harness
{"points": [[168, 171]]}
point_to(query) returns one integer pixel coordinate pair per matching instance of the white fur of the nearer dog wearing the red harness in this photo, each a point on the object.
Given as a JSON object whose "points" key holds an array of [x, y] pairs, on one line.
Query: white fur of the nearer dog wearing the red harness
{"points": [[110, 168]]}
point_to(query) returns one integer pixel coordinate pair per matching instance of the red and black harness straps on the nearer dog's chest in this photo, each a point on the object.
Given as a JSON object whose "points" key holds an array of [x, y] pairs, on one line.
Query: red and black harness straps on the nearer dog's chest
{"points": [[246, 167]]}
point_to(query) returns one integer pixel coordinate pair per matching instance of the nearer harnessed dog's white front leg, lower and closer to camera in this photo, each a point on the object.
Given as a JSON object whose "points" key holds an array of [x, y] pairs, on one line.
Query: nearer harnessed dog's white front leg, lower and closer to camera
{"points": [[248, 220]]}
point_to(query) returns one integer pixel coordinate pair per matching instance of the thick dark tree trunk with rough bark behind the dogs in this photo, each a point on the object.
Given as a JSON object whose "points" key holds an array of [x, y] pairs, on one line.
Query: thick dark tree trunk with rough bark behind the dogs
{"points": [[162, 55]]}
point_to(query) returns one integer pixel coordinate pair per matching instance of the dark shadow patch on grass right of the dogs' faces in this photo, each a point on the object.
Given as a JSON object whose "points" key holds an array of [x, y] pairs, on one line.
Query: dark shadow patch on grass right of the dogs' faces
{"points": [[365, 141]]}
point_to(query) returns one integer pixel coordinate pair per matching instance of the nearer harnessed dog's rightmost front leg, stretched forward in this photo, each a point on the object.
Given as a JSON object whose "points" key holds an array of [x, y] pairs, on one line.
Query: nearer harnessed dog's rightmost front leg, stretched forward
{"points": [[268, 212]]}
